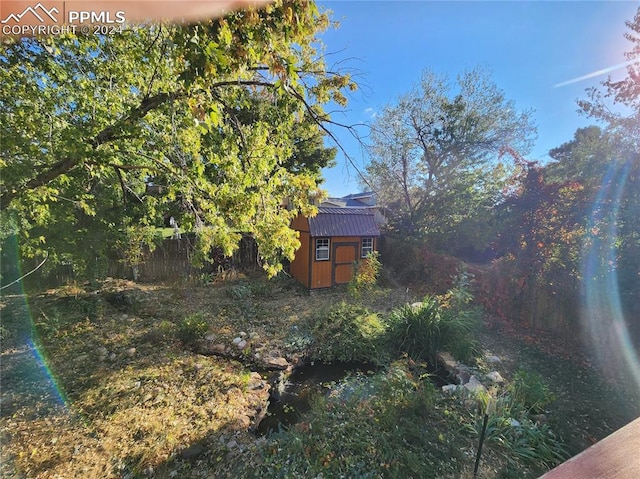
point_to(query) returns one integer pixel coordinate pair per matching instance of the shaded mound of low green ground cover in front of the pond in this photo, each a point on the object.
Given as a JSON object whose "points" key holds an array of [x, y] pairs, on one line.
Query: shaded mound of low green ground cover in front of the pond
{"points": [[384, 426]]}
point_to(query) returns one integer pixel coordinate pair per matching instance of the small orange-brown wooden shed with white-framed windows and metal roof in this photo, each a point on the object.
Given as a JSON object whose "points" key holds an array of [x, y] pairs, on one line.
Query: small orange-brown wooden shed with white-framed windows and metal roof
{"points": [[331, 243]]}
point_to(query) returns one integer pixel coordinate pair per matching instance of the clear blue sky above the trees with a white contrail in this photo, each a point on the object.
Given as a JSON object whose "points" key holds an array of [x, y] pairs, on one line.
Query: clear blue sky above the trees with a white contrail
{"points": [[531, 48]]}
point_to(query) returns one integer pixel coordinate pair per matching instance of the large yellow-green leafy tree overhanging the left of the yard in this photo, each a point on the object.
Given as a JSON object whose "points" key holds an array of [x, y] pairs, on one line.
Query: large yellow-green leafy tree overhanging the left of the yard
{"points": [[225, 116]]}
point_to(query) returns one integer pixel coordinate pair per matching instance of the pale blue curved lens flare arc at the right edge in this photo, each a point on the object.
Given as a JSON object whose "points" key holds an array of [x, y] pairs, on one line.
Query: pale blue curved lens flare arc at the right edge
{"points": [[603, 317]]}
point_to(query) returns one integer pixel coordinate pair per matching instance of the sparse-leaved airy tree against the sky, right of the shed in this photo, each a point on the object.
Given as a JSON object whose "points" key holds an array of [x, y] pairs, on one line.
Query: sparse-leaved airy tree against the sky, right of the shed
{"points": [[434, 148]]}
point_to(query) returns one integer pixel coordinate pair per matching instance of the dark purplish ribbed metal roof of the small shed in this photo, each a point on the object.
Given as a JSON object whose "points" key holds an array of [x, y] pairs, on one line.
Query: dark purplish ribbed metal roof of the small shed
{"points": [[343, 222]]}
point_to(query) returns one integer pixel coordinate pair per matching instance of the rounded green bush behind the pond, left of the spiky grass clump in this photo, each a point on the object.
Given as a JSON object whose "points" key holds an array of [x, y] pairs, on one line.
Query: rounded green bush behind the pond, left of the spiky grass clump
{"points": [[349, 333]]}
